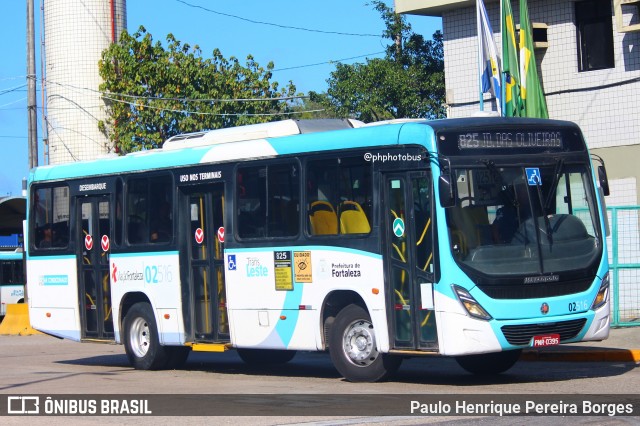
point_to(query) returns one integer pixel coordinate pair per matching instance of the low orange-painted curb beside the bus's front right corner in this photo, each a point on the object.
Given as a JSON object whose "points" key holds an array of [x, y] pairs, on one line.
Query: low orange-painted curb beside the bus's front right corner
{"points": [[583, 355]]}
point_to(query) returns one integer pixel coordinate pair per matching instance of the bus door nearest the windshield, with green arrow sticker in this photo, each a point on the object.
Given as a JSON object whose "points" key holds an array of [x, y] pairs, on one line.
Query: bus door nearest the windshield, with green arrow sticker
{"points": [[408, 234]]}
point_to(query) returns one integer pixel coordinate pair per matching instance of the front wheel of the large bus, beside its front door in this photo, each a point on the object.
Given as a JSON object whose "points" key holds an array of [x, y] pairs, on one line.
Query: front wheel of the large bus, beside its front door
{"points": [[352, 346]]}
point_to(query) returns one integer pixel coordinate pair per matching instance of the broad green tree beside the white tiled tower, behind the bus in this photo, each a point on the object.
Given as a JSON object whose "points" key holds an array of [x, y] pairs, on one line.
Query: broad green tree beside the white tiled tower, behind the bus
{"points": [[153, 93]]}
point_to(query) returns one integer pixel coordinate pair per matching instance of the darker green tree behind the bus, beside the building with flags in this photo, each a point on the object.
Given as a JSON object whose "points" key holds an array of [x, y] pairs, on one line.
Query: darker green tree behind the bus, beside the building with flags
{"points": [[407, 83]]}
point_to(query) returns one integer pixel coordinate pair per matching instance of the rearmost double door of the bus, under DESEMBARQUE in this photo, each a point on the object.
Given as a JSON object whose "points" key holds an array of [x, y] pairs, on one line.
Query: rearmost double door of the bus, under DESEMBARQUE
{"points": [[93, 244]]}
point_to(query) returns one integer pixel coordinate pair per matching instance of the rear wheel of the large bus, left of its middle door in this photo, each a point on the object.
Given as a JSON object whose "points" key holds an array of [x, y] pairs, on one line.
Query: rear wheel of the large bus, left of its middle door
{"points": [[141, 341]]}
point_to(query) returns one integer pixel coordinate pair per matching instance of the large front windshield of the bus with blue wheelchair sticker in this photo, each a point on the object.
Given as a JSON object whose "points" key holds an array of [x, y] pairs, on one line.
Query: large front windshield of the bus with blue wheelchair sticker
{"points": [[542, 219]]}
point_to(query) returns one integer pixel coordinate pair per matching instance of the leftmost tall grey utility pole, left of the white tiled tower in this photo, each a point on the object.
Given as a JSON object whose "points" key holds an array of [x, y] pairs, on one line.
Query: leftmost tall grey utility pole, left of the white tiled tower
{"points": [[31, 88]]}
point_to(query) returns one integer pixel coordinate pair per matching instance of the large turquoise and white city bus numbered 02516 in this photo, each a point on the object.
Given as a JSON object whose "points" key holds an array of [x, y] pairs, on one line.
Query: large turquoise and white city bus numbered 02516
{"points": [[472, 238]]}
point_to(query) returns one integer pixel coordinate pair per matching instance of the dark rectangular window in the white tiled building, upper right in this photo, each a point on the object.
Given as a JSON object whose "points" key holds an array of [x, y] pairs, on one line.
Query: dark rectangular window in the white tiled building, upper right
{"points": [[595, 35]]}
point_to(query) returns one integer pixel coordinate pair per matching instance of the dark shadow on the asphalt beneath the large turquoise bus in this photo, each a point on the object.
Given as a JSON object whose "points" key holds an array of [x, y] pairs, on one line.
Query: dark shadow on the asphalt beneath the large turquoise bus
{"points": [[419, 370]]}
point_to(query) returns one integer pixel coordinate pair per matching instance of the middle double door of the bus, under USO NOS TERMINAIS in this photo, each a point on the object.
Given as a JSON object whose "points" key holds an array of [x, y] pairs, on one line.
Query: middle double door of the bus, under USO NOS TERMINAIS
{"points": [[204, 227]]}
